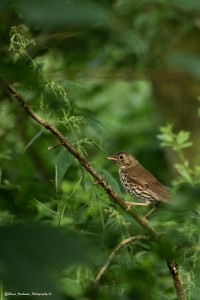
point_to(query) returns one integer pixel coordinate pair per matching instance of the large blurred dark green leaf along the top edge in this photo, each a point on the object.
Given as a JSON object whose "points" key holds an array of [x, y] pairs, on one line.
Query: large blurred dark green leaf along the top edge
{"points": [[67, 12]]}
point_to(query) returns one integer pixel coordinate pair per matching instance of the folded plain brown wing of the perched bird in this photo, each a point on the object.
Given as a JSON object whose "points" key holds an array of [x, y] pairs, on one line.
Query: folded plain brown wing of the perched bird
{"points": [[142, 177]]}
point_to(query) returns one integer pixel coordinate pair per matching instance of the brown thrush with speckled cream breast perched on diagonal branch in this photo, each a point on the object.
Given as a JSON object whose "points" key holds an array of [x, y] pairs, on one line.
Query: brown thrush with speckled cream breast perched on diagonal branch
{"points": [[139, 182]]}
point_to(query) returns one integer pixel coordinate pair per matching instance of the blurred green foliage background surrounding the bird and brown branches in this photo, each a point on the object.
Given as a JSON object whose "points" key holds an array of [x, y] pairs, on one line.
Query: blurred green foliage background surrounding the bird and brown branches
{"points": [[110, 75]]}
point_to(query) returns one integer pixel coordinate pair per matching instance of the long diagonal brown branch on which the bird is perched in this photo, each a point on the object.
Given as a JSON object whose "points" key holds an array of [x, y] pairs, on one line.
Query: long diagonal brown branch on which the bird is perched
{"points": [[111, 193]]}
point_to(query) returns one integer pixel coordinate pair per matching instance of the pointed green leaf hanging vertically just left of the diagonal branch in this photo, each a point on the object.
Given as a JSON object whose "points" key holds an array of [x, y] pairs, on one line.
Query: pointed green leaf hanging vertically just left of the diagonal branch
{"points": [[63, 162]]}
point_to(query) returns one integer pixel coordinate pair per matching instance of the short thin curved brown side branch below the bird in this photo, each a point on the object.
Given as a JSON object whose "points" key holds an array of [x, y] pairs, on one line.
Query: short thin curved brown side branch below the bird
{"points": [[117, 248]]}
